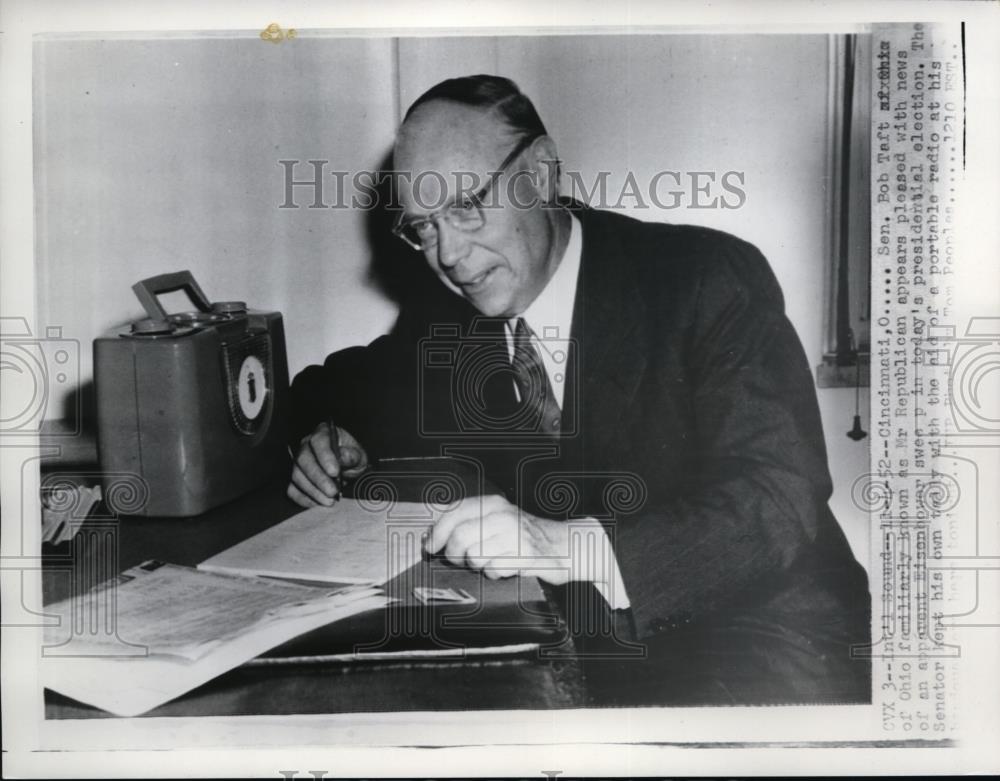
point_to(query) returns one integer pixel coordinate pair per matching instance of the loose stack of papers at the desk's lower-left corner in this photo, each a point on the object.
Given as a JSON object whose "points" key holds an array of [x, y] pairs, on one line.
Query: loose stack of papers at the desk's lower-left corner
{"points": [[159, 630]]}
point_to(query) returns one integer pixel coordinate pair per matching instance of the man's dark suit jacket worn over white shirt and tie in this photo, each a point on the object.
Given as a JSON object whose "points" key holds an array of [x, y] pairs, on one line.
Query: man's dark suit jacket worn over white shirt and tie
{"points": [[692, 428]]}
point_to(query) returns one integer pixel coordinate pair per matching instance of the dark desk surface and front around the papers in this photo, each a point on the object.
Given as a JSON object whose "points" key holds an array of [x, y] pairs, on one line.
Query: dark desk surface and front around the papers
{"points": [[107, 545]]}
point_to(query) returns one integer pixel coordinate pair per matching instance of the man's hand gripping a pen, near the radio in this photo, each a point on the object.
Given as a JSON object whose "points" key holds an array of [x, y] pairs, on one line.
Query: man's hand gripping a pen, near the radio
{"points": [[325, 458]]}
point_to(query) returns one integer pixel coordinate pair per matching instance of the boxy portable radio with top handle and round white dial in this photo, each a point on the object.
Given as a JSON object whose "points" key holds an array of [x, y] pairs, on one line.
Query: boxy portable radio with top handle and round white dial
{"points": [[192, 403]]}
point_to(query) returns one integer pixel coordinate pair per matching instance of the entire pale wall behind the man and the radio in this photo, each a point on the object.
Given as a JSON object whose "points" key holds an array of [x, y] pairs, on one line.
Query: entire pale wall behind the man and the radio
{"points": [[158, 155]]}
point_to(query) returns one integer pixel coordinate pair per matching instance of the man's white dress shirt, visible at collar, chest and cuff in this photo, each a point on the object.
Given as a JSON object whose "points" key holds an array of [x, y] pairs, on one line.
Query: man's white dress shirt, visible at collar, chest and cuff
{"points": [[550, 317]]}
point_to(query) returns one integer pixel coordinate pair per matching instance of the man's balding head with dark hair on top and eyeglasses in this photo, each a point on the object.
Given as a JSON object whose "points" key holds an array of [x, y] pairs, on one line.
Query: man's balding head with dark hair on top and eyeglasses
{"points": [[453, 138]]}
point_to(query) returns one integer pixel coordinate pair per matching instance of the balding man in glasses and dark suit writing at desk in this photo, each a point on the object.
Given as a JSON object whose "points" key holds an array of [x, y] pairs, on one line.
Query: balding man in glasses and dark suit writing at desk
{"points": [[631, 388]]}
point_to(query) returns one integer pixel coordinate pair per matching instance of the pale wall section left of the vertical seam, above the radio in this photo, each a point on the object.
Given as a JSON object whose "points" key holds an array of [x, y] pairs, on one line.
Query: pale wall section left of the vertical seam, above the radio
{"points": [[162, 155]]}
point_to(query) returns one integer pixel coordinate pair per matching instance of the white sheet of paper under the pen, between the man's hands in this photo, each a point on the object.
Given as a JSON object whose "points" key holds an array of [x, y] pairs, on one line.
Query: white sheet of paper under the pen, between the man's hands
{"points": [[346, 543]]}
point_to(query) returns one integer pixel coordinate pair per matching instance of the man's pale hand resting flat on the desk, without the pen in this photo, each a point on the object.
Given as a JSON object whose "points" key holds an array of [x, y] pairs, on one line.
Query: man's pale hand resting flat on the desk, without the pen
{"points": [[489, 534]]}
